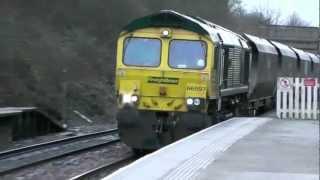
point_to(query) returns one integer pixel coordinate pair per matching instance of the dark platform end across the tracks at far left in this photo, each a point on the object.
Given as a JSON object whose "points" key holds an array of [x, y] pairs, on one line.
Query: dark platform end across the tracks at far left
{"points": [[18, 123]]}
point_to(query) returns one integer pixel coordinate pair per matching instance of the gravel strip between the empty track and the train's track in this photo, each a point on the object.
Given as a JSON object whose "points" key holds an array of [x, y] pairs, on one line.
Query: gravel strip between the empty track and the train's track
{"points": [[72, 165]]}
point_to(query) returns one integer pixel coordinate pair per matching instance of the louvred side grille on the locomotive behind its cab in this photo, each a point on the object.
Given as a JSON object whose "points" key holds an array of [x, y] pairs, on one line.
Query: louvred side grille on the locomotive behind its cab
{"points": [[233, 72]]}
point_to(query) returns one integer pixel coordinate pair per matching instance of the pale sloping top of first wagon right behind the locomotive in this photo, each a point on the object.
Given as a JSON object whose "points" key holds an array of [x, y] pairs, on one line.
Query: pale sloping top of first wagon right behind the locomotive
{"points": [[262, 44]]}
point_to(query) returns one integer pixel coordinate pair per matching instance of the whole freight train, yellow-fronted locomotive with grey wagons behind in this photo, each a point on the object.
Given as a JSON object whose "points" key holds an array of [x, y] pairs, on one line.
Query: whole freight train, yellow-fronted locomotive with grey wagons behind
{"points": [[177, 74]]}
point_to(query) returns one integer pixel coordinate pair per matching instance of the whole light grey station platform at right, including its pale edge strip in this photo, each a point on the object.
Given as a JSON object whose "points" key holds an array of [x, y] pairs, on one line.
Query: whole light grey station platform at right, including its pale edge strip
{"points": [[260, 148]]}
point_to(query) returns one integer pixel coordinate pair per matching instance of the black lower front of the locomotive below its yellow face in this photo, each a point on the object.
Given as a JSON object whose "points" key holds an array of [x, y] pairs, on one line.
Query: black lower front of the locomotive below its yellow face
{"points": [[151, 130]]}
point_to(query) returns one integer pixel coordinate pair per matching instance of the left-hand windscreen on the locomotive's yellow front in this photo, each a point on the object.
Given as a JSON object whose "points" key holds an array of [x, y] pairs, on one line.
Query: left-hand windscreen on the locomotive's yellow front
{"points": [[142, 52]]}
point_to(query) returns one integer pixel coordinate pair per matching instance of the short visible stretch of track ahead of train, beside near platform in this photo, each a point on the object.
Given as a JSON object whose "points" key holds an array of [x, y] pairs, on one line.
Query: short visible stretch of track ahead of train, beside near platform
{"points": [[105, 169]]}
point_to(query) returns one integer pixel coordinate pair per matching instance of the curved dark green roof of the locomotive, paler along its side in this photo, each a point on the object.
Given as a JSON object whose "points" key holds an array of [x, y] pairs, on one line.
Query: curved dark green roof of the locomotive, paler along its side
{"points": [[169, 18]]}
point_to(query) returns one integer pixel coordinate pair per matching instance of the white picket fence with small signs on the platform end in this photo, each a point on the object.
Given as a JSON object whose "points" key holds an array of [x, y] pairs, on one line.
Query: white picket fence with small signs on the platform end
{"points": [[298, 98]]}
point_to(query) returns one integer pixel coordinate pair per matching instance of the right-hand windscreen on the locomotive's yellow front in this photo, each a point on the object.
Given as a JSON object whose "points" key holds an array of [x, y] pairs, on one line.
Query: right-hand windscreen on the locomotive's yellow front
{"points": [[186, 54]]}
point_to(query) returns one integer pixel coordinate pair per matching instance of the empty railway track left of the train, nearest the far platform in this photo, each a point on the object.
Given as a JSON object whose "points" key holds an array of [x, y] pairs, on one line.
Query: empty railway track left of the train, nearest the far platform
{"points": [[18, 158]]}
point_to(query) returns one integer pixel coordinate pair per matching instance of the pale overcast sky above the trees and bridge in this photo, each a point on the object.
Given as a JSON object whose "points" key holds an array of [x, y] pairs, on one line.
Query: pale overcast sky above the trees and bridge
{"points": [[308, 10]]}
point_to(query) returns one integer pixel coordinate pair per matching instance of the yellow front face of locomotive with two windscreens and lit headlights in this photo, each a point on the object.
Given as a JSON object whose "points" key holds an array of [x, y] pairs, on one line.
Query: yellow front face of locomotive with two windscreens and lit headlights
{"points": [[164, 69]]}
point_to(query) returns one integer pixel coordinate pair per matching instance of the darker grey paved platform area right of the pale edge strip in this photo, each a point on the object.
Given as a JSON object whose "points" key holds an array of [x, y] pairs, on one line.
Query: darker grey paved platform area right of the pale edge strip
{"points": [[281, 149]]}
